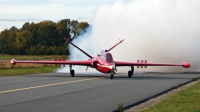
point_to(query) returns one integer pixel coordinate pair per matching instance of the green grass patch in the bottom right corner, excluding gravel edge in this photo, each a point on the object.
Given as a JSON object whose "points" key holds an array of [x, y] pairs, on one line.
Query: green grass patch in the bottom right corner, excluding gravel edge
{"points": [[187, 100]]}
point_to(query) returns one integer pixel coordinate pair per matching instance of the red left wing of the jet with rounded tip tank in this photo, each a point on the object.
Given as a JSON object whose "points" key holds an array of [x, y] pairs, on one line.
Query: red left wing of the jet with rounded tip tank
{"points": [[83, 62]]}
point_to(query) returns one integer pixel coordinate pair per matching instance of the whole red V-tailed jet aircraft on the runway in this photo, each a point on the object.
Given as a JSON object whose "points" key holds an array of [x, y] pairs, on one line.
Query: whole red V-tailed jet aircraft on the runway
{"points": [[103, 62]]}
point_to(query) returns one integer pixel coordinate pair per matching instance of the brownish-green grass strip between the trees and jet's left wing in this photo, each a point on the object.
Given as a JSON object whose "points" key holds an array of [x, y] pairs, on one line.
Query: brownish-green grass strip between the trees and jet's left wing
{"points": [[31, 57]]}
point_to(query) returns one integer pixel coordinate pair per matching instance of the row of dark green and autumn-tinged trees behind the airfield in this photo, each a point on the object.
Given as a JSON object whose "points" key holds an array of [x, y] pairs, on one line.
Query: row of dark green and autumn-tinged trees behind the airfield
{"points": [[43, 38]]}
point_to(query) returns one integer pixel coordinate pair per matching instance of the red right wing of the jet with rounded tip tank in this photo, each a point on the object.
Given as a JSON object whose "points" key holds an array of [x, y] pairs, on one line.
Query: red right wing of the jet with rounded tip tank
{"points": [[119, 63]]}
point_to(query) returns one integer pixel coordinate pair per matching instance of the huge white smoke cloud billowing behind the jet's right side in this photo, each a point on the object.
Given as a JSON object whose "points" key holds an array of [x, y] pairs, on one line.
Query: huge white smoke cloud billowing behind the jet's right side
{"points": [[166, 31]]}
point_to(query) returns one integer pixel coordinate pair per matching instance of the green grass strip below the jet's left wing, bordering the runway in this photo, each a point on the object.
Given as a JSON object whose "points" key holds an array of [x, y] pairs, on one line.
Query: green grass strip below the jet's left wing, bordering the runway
{"points": [[22, 71]]}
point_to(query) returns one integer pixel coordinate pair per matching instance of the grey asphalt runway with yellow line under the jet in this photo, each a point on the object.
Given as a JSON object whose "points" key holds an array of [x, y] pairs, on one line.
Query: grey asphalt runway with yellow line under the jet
{"points": [[60, 92]]}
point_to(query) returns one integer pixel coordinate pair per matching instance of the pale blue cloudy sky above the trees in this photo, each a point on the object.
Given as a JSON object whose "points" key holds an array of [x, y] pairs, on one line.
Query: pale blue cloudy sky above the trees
{"points": [[17, 12]]}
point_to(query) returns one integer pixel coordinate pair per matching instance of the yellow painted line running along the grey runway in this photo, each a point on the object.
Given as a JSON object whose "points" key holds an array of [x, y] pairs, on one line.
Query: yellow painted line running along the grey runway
{"points": [[47, 85]]}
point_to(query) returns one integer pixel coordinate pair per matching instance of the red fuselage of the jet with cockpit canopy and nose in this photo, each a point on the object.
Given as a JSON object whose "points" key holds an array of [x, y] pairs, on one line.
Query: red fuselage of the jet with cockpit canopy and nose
{"points": [[103, 62]]}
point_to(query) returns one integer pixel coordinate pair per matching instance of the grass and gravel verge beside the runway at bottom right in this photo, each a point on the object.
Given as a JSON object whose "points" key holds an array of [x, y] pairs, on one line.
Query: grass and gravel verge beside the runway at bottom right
{"points": [[184, 98]]}
